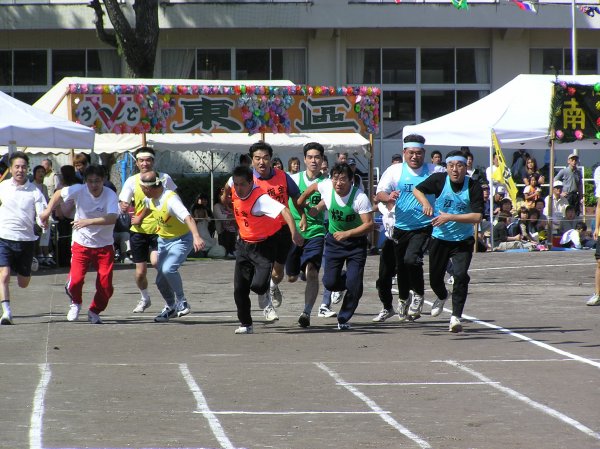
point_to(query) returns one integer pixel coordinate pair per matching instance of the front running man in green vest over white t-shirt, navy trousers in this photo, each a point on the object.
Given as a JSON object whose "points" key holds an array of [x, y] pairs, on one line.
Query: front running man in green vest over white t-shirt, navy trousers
{"points": [[350, 220]]}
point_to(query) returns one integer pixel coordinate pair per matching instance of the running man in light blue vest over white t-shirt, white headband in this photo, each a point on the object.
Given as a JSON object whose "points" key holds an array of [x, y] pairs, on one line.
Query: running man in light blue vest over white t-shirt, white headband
{"points": [[412, 229]]}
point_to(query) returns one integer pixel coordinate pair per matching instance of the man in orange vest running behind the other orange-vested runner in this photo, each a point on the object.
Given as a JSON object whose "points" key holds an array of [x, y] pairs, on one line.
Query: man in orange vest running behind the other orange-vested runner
{"points": [[280, 186]]}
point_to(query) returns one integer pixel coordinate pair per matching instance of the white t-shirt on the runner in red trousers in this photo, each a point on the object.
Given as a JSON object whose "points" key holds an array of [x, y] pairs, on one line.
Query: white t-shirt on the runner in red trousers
{"points": [[89, 206]]}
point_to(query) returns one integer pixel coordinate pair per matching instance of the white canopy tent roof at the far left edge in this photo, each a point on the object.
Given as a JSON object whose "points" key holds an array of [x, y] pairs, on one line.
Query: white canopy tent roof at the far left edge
{"points": [[27, 126]]}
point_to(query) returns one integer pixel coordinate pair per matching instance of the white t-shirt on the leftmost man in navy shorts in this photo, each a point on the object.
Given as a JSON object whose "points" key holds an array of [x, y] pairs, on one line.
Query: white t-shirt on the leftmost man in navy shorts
{"points": [[20, 206]]}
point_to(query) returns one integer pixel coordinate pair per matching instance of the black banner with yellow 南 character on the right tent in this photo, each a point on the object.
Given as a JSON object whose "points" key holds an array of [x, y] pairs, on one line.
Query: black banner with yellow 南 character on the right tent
{"points": [[575, 112]]}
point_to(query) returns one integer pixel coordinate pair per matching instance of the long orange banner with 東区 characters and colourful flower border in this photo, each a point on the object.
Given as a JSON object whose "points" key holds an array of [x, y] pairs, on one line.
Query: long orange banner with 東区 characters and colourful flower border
{"points": [[154, 109]]}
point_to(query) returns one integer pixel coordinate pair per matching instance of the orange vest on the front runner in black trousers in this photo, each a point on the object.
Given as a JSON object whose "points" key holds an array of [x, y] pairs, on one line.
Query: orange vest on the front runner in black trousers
{"points": [[252, 228]]}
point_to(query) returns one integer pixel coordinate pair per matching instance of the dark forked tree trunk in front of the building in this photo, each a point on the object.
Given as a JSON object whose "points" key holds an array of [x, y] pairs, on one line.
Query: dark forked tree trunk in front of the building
{"points": [[138, 43]]}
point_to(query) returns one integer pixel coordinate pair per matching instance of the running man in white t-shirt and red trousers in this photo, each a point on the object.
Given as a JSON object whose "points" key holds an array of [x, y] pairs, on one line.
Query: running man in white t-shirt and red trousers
{"points": [[96, 212]]}
